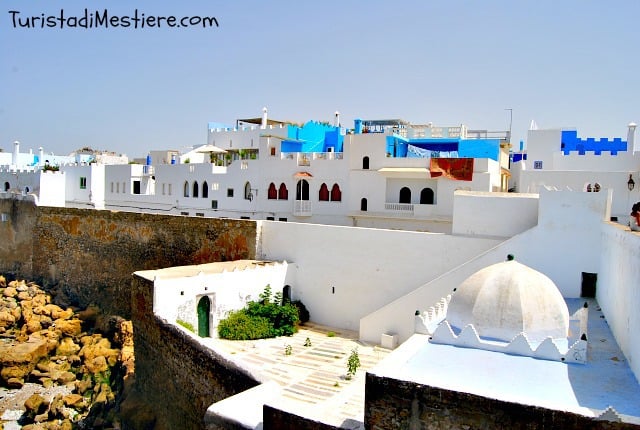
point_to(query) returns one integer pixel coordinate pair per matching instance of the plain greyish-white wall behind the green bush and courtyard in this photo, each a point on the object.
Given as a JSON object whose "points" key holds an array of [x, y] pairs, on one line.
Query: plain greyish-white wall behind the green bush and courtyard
{"points": [[346, 273]]}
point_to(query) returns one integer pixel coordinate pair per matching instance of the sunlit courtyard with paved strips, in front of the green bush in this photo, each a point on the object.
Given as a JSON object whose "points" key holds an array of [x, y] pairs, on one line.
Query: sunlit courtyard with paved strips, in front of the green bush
{"points": [[311, 378]]}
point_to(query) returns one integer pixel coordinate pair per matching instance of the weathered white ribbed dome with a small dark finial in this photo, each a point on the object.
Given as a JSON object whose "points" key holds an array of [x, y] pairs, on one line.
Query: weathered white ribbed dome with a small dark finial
{"points": [[509, 298]]}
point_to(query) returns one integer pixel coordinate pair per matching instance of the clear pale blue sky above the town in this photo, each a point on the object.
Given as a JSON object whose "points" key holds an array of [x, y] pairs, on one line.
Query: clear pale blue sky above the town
{"points": [[560, 63]]}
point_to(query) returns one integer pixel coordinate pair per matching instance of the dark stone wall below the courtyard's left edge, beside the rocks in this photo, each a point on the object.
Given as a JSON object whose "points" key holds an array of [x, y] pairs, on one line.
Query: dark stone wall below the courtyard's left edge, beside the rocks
{"points": [[176, 376]]}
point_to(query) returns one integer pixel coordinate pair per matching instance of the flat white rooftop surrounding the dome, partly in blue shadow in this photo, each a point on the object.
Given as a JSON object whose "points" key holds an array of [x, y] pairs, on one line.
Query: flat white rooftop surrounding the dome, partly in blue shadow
{"points": [[586, 389]]}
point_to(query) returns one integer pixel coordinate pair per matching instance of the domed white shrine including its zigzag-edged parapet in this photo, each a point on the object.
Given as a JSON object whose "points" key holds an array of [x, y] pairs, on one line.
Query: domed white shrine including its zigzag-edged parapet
{"points": [[510, 307]]}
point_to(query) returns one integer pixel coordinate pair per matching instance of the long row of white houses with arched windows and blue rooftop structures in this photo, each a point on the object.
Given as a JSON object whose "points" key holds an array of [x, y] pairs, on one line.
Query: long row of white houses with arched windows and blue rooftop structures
{"points": [[381, 174]]}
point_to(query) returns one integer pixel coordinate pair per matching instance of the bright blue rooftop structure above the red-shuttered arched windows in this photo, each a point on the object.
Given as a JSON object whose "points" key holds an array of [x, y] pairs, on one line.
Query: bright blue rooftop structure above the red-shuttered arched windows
{"points": [[313, 137]]}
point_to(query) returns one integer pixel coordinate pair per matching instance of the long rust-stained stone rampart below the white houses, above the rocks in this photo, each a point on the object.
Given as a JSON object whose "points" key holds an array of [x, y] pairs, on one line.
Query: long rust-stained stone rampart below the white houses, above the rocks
{"points": [[85, 256]]}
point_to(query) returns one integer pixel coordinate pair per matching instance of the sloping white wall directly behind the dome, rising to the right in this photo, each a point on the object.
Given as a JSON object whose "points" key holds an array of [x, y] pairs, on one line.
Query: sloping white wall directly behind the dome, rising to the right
{"points": [[551, 247]]}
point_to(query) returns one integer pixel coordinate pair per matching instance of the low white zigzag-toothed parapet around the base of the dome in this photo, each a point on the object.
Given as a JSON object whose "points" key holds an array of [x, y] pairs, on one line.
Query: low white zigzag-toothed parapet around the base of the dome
{"points": [[548, 349]]}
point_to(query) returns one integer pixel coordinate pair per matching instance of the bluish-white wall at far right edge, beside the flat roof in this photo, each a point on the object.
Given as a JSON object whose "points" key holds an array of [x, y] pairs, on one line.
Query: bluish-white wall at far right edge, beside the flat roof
{"points": [[618, 289]]}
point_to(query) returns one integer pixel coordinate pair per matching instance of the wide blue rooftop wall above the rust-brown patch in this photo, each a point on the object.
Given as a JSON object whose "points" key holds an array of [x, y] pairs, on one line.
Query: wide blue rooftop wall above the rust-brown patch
{"points": [[451, 147]]}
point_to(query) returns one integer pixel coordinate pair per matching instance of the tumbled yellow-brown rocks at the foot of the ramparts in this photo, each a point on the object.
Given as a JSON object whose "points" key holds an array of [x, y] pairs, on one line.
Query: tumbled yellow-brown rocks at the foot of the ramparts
{"points": [[43, 343]]}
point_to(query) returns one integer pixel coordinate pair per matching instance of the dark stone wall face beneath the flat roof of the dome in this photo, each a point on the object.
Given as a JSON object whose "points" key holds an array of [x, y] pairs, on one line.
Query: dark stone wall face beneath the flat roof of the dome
{"points": [[394, 404]]}
